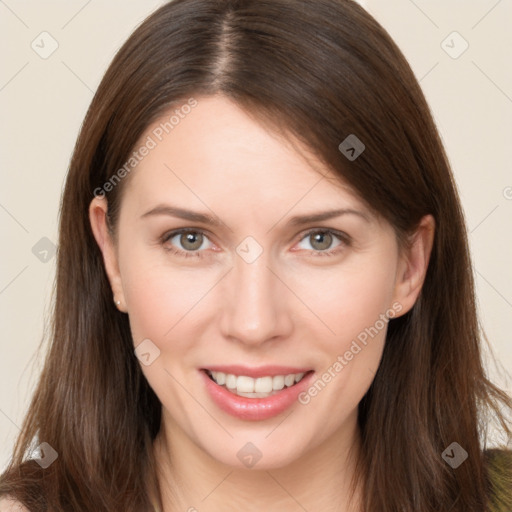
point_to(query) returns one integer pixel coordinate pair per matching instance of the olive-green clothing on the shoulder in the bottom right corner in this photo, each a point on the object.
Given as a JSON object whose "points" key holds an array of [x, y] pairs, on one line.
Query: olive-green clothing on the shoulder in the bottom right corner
{"points": [[499, 475]]}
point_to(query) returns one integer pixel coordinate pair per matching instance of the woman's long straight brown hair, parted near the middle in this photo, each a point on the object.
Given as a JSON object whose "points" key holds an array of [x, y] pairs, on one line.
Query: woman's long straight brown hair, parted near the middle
{"points": [[319, 70]]}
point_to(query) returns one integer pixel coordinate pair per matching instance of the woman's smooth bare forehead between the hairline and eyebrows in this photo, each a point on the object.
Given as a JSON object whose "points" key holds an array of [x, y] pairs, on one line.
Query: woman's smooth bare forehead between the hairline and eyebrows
{"points": [[217, 151]]}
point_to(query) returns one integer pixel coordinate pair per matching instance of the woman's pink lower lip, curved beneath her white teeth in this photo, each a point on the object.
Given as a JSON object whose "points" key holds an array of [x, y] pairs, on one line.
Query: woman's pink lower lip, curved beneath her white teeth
{"points": [[255, 409]]}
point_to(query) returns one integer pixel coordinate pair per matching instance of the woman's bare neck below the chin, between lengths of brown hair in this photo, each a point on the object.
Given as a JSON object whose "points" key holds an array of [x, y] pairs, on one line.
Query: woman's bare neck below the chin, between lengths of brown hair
{"points": [[191, 480]]}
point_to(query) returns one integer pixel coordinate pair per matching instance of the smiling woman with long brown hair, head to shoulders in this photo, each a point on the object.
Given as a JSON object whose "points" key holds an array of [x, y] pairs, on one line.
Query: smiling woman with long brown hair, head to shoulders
{"points": [[264, 297]]}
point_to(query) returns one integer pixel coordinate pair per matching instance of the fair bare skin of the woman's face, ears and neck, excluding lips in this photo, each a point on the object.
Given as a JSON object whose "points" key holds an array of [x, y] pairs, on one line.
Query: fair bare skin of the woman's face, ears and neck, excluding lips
{"points": [[291, 306]]}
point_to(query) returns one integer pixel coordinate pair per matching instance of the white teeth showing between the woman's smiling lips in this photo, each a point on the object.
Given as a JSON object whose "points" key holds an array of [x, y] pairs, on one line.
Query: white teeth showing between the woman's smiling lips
{"points": [[260, 387]]}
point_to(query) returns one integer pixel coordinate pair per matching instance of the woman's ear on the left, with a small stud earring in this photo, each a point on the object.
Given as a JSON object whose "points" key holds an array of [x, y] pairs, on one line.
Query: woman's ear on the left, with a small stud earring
{"points": [[98, 219]]}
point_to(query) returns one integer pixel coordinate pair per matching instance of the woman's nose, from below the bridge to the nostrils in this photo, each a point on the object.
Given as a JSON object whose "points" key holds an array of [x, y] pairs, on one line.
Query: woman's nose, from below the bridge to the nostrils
{"points": [[255, 304]]}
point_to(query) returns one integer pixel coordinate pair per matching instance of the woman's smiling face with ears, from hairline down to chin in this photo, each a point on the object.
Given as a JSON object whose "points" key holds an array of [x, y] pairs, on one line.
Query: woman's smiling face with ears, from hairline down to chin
{"points": [[252, 283]]}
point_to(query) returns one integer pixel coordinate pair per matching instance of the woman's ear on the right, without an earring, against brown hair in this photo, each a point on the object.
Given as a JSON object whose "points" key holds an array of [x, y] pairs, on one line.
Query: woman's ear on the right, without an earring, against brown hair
{"points": [[413, 264]]}
